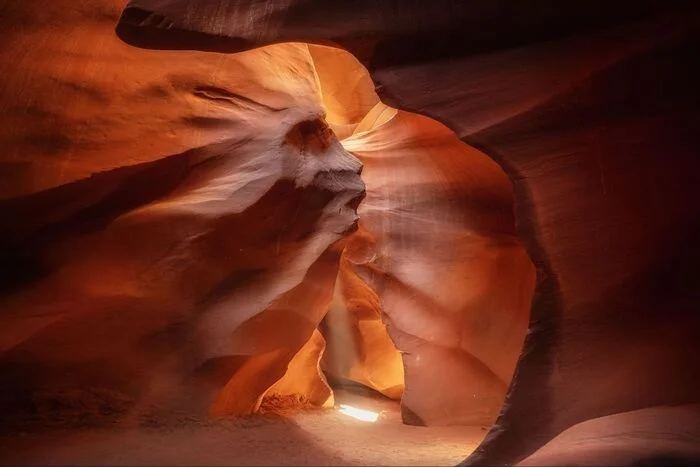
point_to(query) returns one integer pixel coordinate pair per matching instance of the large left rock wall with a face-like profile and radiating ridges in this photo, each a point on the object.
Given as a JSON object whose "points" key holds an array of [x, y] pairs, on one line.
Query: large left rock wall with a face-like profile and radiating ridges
{"points": [[173, 222]]}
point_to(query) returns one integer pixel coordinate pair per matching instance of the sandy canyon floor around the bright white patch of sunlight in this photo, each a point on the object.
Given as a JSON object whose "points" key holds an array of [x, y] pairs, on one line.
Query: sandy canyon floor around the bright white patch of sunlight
{"points": [[307, 438]]}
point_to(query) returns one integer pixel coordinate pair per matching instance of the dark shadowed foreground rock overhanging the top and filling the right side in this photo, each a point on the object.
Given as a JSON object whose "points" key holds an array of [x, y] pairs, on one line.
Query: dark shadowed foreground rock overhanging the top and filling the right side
{"points": [[592, 111]]}
